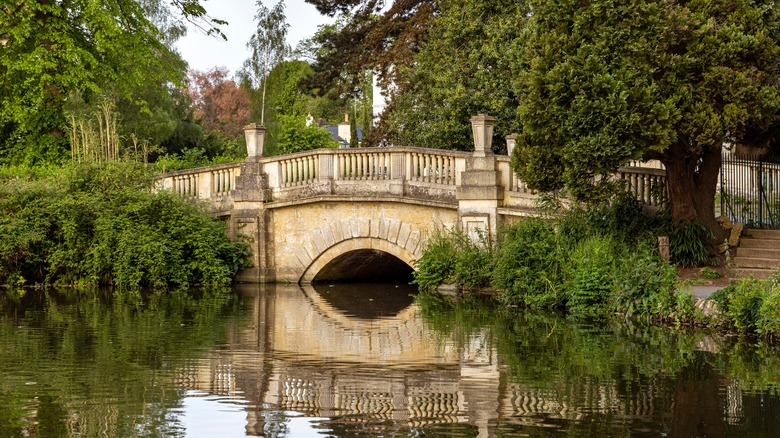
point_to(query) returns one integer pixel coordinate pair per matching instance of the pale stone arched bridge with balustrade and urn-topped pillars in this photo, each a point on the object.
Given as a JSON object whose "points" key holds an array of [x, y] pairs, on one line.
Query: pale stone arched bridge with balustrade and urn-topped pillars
{"points": [[331, 214]]}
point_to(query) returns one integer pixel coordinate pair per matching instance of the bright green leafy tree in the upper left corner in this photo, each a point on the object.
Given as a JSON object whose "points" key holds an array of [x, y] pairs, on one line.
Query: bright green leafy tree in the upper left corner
{"points": [[53, 49]]}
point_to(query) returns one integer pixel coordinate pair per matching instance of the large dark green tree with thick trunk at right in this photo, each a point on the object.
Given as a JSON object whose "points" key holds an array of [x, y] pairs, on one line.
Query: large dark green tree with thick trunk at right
{"points": [[606, 82]]}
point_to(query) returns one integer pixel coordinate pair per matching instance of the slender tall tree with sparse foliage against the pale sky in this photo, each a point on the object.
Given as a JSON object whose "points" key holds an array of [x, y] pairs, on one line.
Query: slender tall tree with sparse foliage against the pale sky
{"points": [[268, 45]]}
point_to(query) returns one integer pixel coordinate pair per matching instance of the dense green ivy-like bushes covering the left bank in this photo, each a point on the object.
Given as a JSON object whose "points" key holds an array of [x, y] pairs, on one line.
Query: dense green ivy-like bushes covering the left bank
{"points": [[104, 225]]}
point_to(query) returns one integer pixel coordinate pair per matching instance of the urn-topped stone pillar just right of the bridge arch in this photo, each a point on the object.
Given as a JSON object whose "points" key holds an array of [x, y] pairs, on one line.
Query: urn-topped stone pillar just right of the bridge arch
{"points": [[480, 192]]}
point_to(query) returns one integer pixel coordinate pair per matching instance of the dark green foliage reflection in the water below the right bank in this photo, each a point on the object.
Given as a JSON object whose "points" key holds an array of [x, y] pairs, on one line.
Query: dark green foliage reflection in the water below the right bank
{"points": [[584, 372]]}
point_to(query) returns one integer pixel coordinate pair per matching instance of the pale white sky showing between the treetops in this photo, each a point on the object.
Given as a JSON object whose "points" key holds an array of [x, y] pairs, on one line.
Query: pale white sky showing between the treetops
{"points": [[204, 52]]}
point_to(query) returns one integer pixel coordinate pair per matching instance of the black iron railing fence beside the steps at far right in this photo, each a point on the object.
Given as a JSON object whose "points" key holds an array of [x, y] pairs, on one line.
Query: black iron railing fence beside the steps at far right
{"points": [[750, 190]]}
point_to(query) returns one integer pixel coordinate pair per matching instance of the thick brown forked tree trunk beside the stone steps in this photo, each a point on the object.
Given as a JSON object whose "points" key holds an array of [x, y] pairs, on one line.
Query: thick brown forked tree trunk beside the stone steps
{"points": [[693, 181]]}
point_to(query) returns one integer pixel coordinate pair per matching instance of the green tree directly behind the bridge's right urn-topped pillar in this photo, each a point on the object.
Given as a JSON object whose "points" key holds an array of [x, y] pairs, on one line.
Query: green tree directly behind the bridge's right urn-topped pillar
{"points": [[462, 69]]}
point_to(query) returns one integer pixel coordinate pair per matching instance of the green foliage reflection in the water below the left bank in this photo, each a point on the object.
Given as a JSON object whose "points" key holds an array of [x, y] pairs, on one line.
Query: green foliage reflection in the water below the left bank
{"points": [[83, 364]]}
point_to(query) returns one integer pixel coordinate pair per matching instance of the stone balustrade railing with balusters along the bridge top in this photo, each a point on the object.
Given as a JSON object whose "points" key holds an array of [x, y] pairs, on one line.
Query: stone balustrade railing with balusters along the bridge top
{"points": [[427, 174]]}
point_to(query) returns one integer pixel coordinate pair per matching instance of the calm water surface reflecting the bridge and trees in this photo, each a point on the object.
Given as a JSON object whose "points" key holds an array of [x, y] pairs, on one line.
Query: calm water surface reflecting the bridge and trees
{"points": [[363, 360]]}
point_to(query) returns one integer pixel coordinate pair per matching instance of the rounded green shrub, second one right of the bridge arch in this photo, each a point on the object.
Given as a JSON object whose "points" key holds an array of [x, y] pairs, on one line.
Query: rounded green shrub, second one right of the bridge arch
{"points": [[527, 265]]}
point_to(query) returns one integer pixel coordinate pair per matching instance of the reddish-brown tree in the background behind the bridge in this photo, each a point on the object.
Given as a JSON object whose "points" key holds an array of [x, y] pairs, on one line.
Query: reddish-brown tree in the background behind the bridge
{"points": [[220, 104]]}
